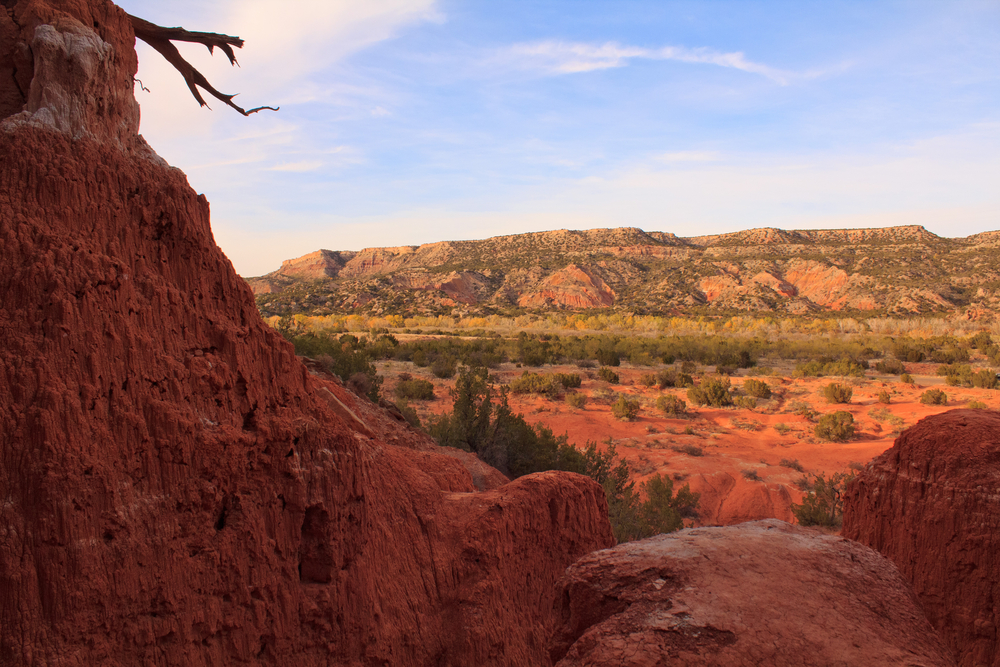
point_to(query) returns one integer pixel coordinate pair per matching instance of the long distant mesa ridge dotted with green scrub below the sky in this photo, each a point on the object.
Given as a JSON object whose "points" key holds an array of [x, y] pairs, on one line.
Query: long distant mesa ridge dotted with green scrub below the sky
{"points": [[901, 270]]}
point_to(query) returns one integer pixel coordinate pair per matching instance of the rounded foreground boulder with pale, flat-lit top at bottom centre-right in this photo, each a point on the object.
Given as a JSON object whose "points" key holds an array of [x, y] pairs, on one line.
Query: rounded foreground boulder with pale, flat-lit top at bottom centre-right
{"points": [[761, 593]]}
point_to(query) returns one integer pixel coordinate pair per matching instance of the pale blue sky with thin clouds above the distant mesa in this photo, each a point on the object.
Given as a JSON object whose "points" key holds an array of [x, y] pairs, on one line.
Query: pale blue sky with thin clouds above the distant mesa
{"points": [[412, 121]]}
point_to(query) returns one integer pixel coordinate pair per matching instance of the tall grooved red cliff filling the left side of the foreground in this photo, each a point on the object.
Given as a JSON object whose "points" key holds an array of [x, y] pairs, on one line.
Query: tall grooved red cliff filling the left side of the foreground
{"points": [[175, 487]]}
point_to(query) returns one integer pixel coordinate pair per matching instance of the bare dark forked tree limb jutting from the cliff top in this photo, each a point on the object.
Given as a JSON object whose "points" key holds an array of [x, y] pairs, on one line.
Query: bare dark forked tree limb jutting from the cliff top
{"points": [[160, 38]]}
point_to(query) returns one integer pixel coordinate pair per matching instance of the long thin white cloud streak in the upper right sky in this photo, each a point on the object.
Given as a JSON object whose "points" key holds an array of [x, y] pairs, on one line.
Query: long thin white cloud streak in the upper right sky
{"points": [[556, 57]]}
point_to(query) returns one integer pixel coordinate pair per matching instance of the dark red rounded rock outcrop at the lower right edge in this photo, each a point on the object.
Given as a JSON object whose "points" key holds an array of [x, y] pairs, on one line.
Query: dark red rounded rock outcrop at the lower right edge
{"points": [[932, 505]]}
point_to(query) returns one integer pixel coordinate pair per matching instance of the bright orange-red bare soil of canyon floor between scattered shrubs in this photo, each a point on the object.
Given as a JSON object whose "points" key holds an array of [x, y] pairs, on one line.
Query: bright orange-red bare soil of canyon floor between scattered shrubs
{"points": [[742, 471]]}
